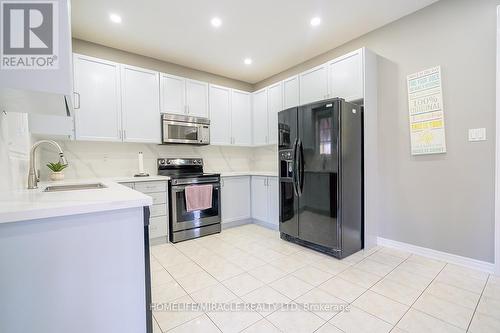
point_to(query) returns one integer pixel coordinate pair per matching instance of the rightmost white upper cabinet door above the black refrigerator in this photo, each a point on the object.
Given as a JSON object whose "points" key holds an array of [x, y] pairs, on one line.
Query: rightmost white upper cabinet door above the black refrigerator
{"points": [[346, 77]]}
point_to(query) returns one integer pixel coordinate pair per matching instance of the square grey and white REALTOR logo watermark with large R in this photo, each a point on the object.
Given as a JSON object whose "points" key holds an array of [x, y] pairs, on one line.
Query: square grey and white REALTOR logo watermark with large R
{"points": [[29, 32]]}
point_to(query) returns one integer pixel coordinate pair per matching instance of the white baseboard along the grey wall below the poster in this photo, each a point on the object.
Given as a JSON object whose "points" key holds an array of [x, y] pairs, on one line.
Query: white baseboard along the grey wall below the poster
{"points": [[439, 255]]}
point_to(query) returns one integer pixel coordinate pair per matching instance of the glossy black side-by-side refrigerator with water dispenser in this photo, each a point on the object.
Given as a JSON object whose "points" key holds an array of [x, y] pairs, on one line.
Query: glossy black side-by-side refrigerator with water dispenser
{"points": [[321, 176]]}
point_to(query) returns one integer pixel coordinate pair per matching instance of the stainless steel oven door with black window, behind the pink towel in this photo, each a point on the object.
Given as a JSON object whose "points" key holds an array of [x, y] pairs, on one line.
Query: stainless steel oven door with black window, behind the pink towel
{"points": [[182, 219]]}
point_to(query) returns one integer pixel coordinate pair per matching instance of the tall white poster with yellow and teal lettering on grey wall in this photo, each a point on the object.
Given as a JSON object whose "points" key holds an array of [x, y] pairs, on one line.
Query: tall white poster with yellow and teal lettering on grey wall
{"points": [[425, 103]]}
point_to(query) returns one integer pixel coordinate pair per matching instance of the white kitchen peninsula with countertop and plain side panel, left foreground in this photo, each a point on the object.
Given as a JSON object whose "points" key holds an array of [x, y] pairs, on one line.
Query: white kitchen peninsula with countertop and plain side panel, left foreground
{"points": [[73, 261]]}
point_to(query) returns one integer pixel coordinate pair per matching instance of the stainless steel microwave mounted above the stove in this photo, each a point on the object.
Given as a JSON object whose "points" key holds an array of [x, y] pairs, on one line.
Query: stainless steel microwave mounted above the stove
{"points": [[185, 129]]}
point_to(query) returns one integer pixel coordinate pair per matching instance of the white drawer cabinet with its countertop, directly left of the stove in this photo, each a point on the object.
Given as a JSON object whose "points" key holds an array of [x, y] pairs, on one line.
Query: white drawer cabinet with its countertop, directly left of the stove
{"points": [[158, 222]]}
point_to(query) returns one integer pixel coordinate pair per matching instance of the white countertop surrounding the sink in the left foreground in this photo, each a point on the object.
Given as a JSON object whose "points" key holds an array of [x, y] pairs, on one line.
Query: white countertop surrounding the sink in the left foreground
{"points": [[22, 205]]}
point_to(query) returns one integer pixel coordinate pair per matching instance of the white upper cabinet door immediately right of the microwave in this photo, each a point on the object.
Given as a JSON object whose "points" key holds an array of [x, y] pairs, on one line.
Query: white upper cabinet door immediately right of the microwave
{"points": [[220, 115]]}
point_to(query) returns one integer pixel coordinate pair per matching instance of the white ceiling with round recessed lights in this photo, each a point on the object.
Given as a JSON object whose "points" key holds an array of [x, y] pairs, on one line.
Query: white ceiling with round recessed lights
{"points": [[276, 34]]}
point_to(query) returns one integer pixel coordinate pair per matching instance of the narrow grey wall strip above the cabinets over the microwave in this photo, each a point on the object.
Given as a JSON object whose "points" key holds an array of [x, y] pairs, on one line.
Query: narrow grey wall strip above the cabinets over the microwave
{"points": [[108, 53]]}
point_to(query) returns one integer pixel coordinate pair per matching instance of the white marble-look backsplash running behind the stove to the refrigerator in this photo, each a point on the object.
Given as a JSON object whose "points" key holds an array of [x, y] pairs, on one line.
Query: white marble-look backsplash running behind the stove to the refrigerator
{"points": [[104, 159]]}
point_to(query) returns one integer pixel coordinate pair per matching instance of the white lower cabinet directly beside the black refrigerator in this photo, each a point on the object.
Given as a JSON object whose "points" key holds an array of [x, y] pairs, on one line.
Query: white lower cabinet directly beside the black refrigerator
{"points": [[265, 199]]}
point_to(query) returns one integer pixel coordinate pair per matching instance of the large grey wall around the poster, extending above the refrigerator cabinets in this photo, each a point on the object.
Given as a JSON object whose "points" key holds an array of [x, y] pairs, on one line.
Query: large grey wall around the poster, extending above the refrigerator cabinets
{"points": [[444, 202]]}
